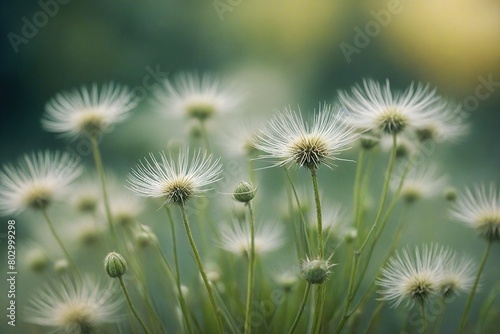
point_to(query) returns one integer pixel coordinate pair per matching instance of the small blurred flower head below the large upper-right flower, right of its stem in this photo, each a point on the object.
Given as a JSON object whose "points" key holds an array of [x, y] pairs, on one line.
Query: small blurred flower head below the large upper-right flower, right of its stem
{"points": [[420, 183]]}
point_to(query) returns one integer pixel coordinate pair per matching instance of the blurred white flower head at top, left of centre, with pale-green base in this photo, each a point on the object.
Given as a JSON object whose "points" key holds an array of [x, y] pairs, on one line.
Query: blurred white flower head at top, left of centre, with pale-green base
{"points": [[198, 97]]}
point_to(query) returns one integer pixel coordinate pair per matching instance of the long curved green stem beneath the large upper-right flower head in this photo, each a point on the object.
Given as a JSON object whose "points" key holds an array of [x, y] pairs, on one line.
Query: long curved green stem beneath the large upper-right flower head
{"points": [[358, 252]]}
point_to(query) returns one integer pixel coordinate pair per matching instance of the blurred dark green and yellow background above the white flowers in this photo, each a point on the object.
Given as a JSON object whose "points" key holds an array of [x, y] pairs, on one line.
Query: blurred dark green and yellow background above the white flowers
{"points": [[283, 52]]}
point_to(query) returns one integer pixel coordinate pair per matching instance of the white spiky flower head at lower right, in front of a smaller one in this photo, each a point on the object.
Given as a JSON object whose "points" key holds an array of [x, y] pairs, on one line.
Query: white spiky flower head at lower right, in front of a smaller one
{"points": [[412, 277]]}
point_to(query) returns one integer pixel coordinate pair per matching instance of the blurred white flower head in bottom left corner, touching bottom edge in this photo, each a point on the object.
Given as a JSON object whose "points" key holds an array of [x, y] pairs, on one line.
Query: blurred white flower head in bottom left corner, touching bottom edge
{"points": [[74, 306]]}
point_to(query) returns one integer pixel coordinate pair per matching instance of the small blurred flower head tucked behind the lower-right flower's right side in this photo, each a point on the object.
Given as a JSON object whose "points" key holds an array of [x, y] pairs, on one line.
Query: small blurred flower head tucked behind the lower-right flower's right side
{"points": [[457, 275]]}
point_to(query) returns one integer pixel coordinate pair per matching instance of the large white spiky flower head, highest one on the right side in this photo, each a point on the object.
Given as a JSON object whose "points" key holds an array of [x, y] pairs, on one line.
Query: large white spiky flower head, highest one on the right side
{"points": [[375, 107]]}
